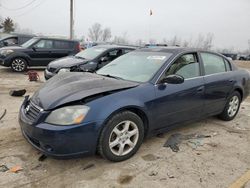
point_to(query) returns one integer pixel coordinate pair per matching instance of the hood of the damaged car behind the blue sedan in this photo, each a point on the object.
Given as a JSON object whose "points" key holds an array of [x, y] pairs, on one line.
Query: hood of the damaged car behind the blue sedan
{"points": [[68, 61]]}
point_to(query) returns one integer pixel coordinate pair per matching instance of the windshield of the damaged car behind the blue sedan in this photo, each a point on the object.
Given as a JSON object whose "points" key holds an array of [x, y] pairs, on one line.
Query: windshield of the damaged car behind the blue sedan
{"points": [[91, 53]]}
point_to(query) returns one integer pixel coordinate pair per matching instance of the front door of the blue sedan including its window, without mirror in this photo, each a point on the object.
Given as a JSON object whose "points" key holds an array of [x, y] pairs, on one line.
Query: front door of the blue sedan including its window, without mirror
{"points": [[176, 103]]}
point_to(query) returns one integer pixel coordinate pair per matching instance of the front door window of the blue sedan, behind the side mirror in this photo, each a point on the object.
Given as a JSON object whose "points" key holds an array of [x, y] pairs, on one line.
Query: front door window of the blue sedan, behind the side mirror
{"points": [[186, 66]]}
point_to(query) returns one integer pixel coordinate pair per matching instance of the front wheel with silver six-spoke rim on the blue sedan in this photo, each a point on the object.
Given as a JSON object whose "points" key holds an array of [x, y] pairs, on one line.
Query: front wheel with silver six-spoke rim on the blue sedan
{"points": [[121, 136]]}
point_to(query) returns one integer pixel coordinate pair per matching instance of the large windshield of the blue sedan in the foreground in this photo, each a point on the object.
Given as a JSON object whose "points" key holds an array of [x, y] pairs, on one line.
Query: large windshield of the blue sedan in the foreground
{"points": [[135, 66]]}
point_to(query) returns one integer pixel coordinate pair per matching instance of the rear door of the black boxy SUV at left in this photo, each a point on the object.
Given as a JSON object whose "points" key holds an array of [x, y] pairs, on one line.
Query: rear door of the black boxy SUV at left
{"points": [[62, 49]]}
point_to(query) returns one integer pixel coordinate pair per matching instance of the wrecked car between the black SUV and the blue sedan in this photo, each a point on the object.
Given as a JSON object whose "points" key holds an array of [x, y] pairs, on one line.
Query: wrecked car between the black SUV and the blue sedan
{"points": [[88, 60]]}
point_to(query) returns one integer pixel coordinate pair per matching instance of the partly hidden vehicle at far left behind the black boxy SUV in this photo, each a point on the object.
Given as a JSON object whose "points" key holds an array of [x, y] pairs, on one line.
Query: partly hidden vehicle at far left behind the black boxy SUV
{"points": [[14, 39]]}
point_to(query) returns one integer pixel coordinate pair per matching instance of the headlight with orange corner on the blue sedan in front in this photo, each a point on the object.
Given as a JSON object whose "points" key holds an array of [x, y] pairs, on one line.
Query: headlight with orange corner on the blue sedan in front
{"points": [[69, 115]]}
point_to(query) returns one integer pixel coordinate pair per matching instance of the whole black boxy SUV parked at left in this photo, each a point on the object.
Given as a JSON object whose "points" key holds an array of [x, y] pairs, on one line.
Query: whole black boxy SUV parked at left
{"points": [[38, 51]]}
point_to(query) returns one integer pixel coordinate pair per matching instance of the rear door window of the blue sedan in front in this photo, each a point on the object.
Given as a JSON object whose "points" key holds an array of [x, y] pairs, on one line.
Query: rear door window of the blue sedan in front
{"points": [[213, 63]]}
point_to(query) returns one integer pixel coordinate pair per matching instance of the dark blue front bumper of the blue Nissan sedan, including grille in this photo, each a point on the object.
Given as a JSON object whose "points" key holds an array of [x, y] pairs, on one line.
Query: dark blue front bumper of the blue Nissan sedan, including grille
{"points": [[59, 141]]}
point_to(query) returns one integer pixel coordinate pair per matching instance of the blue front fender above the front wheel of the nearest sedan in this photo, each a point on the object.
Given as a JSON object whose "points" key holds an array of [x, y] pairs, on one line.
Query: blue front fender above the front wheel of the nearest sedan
{"points": [[139, 98]]}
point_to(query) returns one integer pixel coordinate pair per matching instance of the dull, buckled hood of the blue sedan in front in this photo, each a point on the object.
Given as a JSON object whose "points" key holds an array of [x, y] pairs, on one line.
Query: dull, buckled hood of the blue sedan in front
{"points": [[69, 87]]}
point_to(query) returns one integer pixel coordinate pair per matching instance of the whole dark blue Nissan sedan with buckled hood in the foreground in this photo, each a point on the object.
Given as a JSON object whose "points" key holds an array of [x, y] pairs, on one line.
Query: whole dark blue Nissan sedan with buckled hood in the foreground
{"points": [[140, 94]]}
